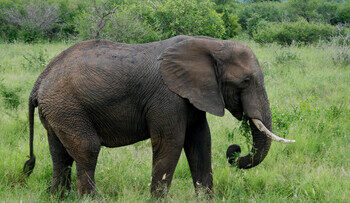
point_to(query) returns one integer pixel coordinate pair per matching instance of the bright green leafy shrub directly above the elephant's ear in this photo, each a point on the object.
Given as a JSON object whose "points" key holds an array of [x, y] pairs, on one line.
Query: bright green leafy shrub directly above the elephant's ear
{"points": [[191, 17]]}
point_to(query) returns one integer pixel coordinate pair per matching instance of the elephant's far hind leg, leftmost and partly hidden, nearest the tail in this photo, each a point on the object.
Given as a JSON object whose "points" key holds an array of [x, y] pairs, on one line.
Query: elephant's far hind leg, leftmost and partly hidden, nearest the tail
{"points": [[62, 163]]}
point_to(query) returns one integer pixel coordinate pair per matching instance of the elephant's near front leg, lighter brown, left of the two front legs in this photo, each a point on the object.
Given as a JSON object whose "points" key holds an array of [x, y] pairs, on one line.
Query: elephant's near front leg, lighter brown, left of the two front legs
{"points": [[167, 143]]}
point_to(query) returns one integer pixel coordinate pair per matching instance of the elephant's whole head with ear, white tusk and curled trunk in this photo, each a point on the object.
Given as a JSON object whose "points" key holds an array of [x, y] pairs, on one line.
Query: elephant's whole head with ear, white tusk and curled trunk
{"points": [[217, 74]]}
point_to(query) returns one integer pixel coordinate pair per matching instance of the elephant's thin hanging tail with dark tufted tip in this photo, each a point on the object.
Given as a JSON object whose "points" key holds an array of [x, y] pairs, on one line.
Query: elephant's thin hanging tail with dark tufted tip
{"points": [[29, 165]]}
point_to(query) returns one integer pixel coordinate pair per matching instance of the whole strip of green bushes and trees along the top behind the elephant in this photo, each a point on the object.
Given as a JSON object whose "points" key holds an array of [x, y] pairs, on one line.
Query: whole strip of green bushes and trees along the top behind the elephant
{"points": [[134, 21]]}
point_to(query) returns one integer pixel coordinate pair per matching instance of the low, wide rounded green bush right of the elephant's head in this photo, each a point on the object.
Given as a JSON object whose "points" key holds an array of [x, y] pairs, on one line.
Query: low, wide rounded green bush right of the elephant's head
{"points": [[288, 32]]}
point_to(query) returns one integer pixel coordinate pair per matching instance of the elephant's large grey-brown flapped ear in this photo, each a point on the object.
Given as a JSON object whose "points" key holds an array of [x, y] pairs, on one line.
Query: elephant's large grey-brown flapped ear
{"points": [[188, 70]]}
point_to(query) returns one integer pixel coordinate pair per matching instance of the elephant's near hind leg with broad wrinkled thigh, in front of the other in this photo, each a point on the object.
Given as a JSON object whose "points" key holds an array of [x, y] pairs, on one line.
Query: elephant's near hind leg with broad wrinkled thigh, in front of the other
{"points": [[82, 143]]}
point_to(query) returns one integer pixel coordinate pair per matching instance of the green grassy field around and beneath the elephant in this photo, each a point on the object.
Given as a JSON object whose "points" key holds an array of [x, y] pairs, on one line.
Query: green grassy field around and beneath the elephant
{"points": [[309, 92]]}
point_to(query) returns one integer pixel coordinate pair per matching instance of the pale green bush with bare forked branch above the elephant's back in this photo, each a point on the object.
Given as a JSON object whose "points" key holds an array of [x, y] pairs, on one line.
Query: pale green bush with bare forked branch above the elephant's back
{"points": [[119, 25]]}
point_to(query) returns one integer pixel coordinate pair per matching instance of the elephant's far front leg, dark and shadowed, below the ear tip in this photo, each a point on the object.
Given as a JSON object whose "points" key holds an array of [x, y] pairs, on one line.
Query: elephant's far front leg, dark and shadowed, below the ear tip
{"points": [[198, 152]]}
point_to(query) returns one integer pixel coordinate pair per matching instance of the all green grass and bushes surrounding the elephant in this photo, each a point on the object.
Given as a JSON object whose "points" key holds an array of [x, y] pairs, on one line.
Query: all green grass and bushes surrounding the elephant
{"points": [[303, 47]]}
